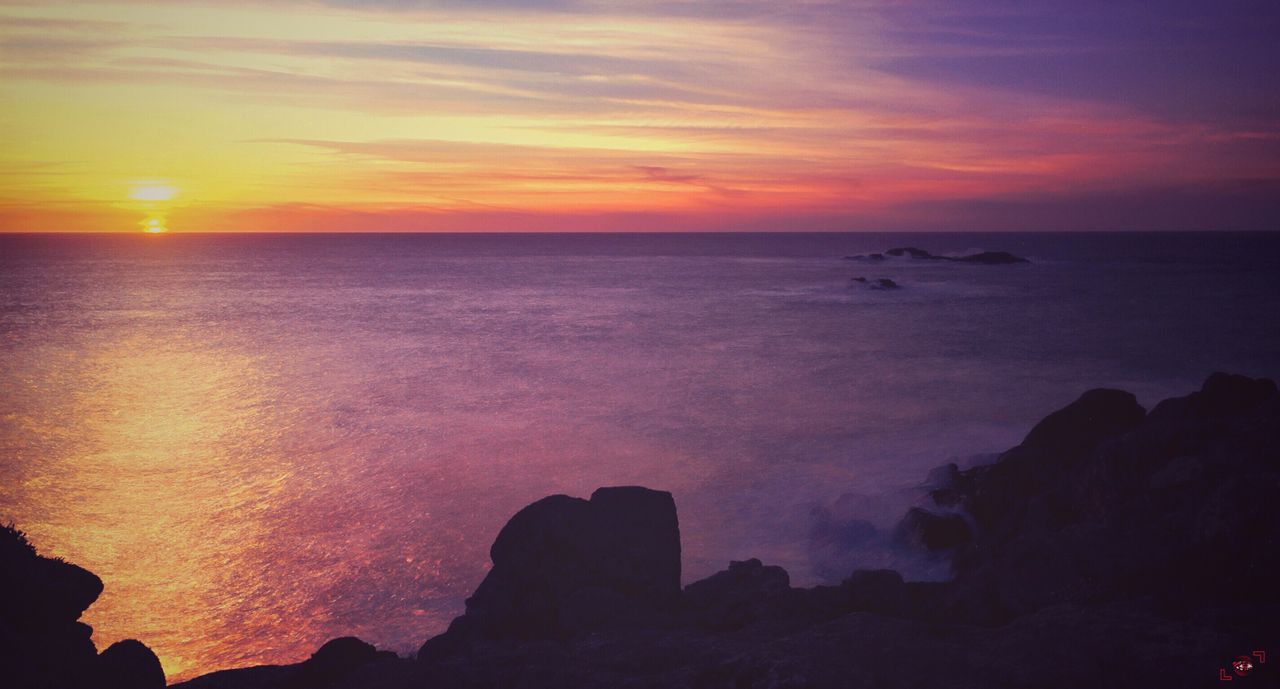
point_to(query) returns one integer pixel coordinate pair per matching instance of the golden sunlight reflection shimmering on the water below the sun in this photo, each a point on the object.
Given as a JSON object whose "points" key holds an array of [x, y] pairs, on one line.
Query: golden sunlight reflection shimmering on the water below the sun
{"points": [[161, 495]]}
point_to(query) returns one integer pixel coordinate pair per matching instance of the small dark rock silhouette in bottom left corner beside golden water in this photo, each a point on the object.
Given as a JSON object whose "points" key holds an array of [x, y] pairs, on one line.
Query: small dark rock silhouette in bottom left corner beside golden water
{"points": [[43, 642]]}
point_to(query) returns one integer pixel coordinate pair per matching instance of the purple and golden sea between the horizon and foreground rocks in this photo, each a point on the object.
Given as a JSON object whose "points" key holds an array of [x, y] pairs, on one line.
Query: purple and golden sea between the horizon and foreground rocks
{"points": [[263, 442]]}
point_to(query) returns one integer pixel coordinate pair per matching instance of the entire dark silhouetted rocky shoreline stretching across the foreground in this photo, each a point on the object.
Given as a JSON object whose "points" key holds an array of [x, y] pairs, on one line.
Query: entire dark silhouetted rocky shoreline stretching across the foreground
{"points": [[1112, 549]]}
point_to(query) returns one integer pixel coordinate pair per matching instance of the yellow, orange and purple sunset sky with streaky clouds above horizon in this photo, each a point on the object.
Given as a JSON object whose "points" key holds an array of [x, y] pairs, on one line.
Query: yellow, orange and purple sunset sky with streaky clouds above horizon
{"points": [[505, 116]]}
